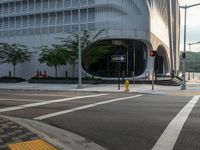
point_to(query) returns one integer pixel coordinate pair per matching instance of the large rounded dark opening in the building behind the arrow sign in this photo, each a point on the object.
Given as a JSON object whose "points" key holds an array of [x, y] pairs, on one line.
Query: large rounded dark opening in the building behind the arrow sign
{"points": [[135, 53]]}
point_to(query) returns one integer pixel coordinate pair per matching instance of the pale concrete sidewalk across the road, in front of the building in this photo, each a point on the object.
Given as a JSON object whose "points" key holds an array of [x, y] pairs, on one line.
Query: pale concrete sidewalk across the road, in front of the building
{"points": [[193, 88]]}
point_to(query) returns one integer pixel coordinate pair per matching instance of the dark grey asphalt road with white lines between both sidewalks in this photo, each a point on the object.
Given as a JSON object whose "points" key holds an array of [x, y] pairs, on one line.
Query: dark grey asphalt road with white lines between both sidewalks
{"points": [[116, 121]]}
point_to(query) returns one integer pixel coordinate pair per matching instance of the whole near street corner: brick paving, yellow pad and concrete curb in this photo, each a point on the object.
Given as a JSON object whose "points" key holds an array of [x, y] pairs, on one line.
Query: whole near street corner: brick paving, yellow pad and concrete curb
{"points": [[25, 134]]}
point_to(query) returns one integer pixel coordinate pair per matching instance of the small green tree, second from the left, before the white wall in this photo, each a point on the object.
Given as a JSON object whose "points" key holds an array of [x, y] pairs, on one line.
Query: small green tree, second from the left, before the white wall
{"points": [[53, 57]]}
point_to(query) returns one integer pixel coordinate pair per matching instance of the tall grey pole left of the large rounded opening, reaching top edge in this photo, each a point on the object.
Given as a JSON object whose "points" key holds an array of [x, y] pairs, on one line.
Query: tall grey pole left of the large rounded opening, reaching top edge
{"points": [[79, 48]]}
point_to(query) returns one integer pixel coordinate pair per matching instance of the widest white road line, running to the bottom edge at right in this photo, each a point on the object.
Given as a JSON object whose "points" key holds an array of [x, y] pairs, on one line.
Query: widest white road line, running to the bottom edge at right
{"points": [[169, 137]]}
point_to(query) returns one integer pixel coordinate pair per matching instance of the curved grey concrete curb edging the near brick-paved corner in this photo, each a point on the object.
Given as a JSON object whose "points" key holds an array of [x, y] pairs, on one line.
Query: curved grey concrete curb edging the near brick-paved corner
{"points": [[61, 139]]}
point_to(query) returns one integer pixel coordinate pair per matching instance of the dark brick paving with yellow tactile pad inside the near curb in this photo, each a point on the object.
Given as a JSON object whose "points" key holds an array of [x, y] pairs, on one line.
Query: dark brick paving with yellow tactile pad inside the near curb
{"points": [[14, 136]]}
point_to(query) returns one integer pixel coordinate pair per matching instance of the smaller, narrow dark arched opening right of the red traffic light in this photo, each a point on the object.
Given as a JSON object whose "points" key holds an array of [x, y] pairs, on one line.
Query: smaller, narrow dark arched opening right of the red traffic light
{"points": [[161, 61]]}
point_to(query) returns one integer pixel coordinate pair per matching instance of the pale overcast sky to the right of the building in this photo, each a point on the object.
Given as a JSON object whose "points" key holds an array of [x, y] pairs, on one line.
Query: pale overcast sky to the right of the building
{"points": [[193, 24]]}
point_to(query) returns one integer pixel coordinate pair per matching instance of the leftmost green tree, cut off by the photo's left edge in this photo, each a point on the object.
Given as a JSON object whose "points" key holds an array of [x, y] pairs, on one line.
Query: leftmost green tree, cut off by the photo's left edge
{"points": [[14, 54]]}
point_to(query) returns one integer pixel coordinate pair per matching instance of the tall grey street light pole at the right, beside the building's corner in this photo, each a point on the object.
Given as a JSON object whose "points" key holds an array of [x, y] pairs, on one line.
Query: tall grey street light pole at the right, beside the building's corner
{"points": [[183, 86]]}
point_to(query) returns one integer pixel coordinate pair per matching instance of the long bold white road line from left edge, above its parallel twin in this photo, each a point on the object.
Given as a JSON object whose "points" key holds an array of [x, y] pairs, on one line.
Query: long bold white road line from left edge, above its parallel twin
{"points": [[47, 102]]}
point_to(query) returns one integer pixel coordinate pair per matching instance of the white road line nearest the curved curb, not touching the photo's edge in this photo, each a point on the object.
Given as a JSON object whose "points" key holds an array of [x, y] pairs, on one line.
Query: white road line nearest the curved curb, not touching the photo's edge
{"points": [[82, 107]]}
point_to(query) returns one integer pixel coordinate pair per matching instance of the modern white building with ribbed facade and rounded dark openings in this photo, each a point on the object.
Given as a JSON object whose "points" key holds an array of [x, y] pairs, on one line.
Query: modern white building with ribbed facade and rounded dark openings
{"points": [[134, 26]]}
